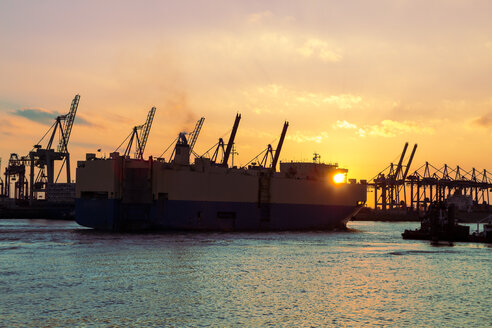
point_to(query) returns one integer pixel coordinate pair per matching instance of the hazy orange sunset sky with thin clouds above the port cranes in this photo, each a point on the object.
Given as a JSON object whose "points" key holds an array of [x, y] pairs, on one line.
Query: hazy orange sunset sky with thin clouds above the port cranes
{"points": [[355, 79]]}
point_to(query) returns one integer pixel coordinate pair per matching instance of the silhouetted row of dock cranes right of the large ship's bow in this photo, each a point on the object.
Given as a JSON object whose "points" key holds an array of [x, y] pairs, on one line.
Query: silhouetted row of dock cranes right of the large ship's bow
{"points": [[395, 189]]}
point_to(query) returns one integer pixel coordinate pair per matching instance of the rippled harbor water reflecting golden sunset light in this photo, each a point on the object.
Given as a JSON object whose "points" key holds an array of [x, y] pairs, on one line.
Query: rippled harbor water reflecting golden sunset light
{"points": [[56, 273]]}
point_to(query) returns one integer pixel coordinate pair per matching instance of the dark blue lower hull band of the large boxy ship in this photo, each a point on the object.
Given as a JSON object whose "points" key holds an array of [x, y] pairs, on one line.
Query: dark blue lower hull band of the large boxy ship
{"points": [[114, 215]]}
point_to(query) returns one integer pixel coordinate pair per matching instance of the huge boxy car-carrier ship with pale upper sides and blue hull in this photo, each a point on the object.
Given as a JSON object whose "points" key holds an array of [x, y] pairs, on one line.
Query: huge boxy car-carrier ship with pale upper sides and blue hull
{"points": [[120, 193]]}
